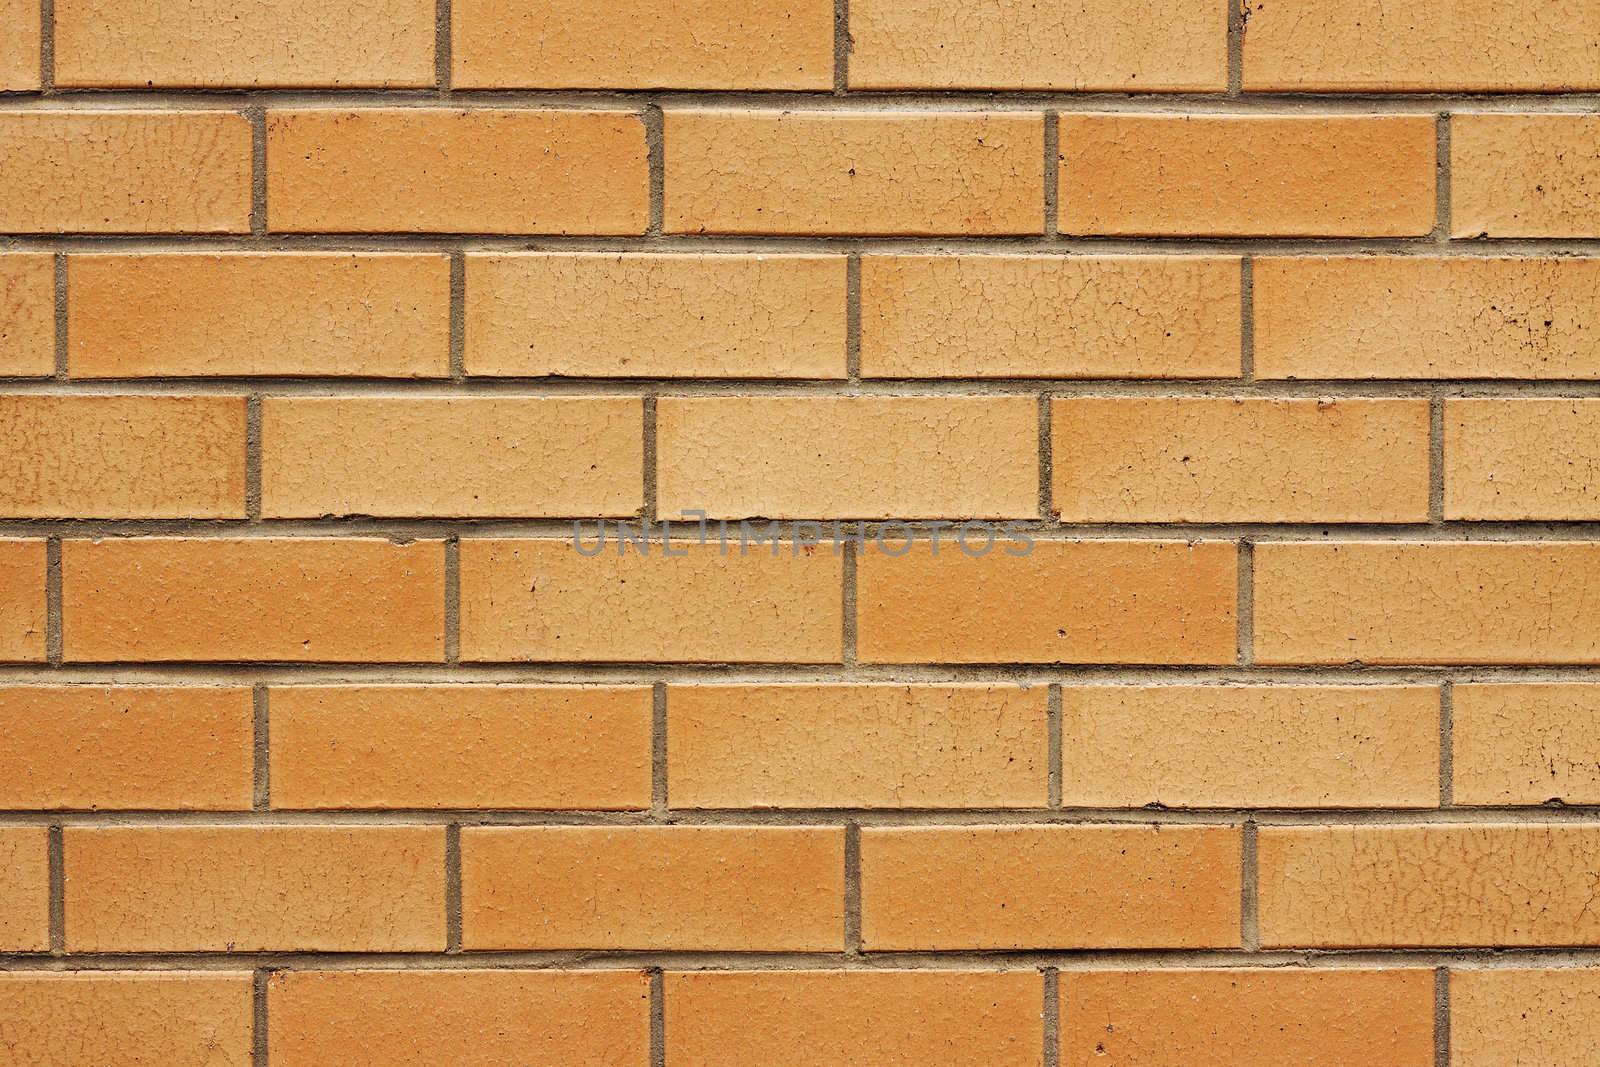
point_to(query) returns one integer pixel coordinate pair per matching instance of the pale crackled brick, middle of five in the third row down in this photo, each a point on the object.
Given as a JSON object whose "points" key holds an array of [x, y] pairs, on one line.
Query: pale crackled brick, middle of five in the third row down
{"points": [[657, 316]]}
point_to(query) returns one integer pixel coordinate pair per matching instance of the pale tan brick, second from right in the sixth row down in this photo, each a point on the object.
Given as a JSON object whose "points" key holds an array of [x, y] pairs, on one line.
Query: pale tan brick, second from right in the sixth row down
{"points": [[1209, 746]]}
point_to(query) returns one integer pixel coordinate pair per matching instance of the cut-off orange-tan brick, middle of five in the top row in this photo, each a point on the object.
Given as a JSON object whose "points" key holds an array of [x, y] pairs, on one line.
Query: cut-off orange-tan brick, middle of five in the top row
{"points": [[644, 46]]}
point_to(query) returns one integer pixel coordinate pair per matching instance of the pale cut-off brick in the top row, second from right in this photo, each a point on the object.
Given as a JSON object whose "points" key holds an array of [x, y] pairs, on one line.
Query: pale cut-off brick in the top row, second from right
{"points": [[1102, 46]]}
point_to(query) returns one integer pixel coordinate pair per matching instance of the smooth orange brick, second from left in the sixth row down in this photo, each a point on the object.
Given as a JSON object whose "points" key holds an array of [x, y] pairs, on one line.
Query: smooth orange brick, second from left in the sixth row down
{"points": [[458, 746]]}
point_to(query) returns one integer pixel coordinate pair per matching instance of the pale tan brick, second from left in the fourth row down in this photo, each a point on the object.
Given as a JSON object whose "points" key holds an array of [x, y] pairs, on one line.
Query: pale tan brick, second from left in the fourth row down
{"points": [[458, 457]]}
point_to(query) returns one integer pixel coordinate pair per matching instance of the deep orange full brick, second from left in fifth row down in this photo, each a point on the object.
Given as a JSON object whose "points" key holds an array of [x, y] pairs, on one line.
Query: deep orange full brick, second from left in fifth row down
{"points": [[260, 599]]}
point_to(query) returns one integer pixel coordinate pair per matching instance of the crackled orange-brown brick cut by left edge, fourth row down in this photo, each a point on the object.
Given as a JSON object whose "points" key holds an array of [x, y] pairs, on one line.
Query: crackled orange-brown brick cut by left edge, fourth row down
{"points": [[122, 457]]}
